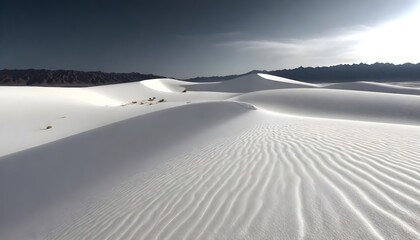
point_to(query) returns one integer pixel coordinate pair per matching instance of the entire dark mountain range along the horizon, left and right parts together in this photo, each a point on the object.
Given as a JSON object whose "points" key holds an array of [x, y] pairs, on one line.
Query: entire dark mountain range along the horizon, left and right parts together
{"points": [[378, 72]]}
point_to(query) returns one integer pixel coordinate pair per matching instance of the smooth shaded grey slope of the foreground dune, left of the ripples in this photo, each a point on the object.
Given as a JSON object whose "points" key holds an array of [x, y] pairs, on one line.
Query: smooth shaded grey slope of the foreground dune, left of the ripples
{"points": [[52, 172]]}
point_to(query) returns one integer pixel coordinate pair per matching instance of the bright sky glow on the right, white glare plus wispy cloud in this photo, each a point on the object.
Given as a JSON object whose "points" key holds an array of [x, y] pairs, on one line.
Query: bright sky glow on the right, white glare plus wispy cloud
{"points": [[396, 41]]}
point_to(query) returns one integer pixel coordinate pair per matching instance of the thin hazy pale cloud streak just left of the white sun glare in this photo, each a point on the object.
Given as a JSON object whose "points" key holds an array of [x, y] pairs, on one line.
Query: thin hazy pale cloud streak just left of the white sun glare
{"points": [[293, 52]]}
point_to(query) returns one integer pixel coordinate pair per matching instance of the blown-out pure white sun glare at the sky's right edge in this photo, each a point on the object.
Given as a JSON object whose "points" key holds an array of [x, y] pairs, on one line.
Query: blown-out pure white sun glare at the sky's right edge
{"points": [[397, 41]]}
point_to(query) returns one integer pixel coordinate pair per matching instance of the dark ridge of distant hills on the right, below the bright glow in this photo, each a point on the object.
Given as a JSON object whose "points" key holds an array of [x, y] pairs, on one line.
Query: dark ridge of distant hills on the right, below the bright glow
{"points": [[378, 72]]}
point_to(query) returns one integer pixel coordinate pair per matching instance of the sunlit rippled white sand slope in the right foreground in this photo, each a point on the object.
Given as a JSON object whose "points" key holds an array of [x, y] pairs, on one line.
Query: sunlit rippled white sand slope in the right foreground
{"points": [[282, 178]]}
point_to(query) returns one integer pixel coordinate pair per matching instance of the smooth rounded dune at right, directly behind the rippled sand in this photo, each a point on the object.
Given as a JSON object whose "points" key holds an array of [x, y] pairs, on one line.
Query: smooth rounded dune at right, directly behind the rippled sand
{"points": [[342, 104]]}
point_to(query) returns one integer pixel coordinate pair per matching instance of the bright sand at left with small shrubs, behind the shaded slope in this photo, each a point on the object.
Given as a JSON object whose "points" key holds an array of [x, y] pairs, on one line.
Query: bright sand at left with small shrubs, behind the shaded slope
{"points": [[27, 111]]}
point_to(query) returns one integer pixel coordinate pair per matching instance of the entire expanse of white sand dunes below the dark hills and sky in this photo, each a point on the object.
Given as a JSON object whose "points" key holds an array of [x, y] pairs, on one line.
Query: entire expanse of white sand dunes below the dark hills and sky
{"points": [[220, 161]]}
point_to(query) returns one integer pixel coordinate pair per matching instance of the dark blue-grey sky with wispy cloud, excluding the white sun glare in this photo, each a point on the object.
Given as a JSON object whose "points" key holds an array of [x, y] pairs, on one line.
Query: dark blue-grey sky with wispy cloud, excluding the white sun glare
{"points": [[187, 38]]}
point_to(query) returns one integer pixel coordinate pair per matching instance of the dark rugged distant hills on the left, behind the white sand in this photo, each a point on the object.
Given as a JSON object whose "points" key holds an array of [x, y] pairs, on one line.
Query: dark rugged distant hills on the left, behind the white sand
{"points": [[66, 78]]}
